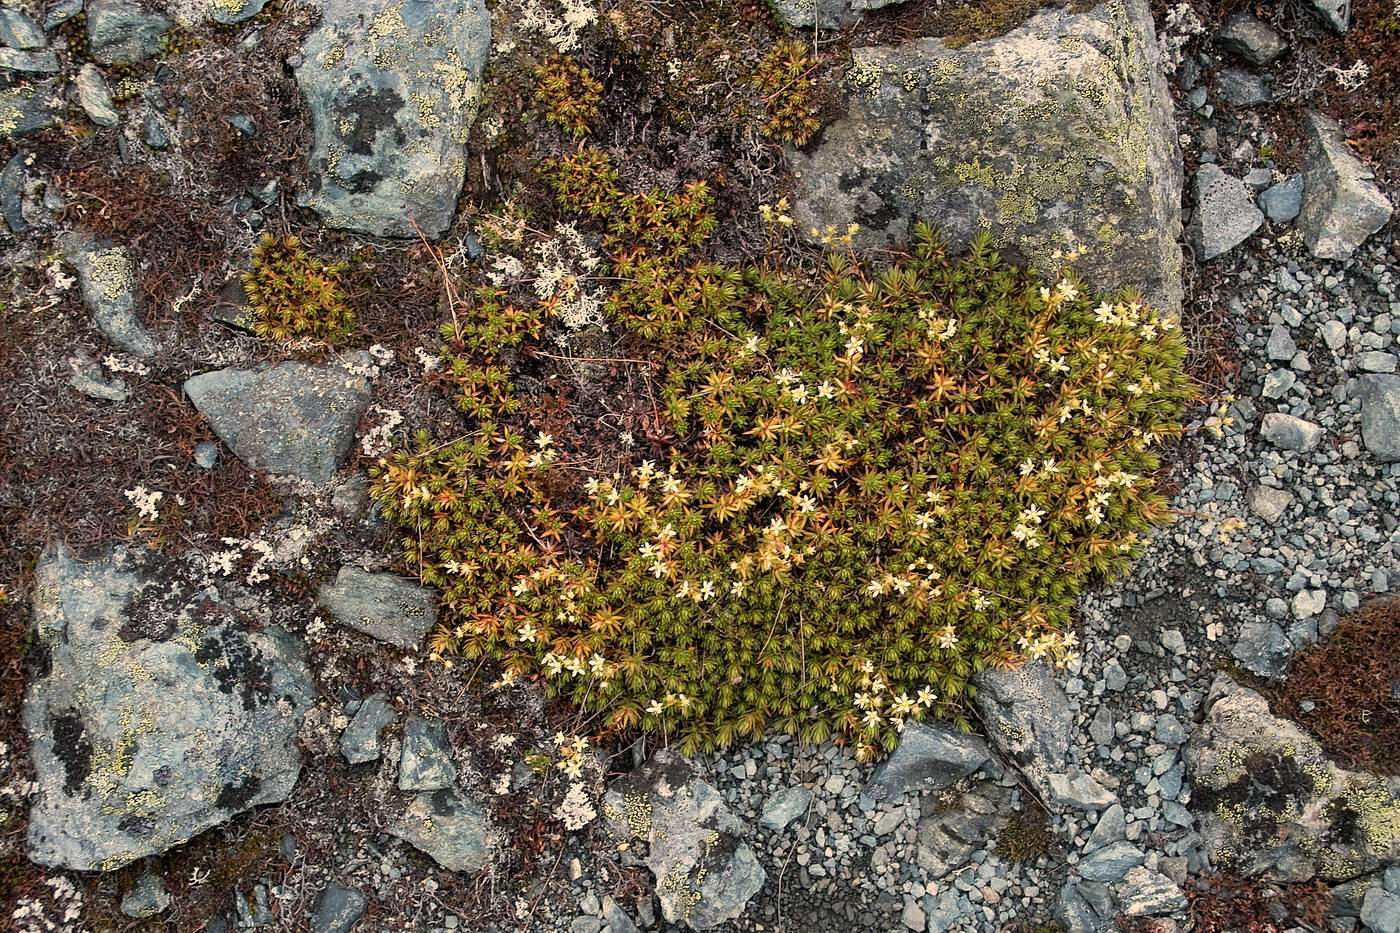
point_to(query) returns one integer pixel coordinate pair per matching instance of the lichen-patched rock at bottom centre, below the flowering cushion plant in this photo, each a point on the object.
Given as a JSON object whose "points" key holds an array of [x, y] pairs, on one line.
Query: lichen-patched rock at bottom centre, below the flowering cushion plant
{"points": [[705, 871]]}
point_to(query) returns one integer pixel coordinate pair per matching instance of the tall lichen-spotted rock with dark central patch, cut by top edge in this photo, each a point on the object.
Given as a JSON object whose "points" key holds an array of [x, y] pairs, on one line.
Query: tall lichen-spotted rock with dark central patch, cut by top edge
{"points": [[393, 88]]}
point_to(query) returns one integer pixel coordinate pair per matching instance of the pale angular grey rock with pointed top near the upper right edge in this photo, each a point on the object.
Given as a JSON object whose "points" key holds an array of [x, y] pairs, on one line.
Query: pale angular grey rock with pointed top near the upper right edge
{"points": [[1342, 204]]}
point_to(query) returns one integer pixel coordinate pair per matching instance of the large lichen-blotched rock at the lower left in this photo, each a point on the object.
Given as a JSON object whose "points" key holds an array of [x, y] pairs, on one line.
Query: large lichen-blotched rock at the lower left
{"points": [[156, 715]]}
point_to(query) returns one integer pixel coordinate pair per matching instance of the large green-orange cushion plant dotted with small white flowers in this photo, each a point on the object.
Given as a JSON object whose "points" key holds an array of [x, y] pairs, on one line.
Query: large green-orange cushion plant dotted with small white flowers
{"points": [[881, 481]]}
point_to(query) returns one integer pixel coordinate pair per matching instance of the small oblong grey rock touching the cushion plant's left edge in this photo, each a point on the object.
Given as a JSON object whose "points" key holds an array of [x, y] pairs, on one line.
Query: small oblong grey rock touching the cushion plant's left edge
{"points": [[383, 606]]}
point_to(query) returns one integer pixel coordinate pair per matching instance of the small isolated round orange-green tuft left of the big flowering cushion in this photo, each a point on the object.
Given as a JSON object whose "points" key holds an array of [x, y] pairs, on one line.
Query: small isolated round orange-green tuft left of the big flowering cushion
{"points": [[293, 295]]}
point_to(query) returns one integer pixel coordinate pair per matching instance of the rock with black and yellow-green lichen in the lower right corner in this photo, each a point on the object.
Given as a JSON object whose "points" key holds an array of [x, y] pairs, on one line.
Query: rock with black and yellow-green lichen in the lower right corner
{"points": [[1269, 799]]}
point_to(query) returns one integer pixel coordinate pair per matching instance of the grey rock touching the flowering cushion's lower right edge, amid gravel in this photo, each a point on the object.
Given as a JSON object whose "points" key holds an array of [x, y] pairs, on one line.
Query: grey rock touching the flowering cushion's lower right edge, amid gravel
{"points": [[1028, 718]]}
